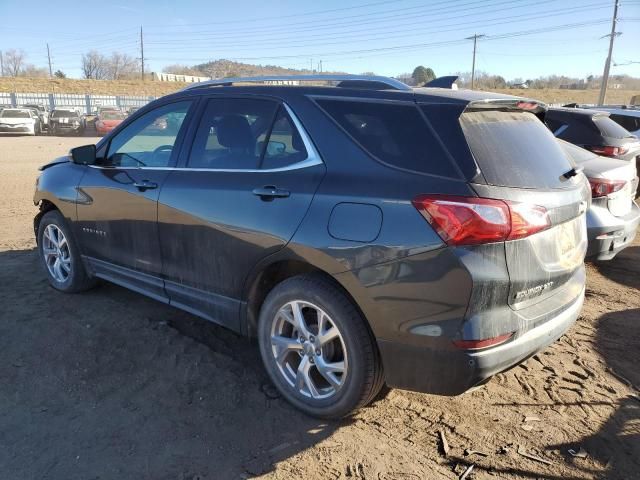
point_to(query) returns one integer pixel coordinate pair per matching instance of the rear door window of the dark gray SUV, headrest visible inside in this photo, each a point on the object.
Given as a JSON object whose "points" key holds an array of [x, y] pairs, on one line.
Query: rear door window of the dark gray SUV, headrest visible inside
{"points": [[232, 134]]}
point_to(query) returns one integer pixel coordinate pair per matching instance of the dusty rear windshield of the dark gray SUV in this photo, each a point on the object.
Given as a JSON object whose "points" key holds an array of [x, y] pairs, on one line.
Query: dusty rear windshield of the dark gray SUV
{"points": [[515, 149]]}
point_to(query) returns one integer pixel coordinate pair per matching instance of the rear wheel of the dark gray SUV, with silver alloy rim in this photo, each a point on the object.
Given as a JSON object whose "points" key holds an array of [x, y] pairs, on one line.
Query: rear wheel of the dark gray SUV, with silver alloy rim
{"points": [[317, 348]]}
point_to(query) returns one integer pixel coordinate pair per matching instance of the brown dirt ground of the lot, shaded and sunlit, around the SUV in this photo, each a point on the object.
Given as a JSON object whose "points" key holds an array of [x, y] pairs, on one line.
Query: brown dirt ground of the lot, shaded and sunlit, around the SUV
{"points": [[112, 385]]}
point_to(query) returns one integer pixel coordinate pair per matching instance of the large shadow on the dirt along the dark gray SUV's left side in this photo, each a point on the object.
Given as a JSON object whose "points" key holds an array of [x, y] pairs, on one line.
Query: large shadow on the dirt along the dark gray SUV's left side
{"points": [[111, 384]]}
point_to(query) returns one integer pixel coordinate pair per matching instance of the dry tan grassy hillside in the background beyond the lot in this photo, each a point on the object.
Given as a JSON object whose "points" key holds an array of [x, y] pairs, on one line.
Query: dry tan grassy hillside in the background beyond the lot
{"points": [[149, 87]]}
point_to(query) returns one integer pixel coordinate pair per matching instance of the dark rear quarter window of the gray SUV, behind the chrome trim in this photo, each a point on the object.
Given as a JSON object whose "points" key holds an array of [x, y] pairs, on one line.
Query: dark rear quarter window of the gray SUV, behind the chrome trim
{"points": [[394, 134]]}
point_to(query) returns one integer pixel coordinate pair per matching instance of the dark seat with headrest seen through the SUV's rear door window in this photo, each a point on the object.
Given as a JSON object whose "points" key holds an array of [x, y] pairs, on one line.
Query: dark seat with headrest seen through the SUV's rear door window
{"points": [[234, 133]]}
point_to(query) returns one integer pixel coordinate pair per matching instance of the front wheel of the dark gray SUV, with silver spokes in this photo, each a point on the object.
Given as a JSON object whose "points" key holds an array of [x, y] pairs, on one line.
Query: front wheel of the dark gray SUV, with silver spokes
{"points": [[60, 255]]}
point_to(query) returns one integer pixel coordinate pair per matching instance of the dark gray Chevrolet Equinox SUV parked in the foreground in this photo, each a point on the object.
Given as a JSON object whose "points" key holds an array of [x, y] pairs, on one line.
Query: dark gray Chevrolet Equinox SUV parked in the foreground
{"points": [[364, 232]]}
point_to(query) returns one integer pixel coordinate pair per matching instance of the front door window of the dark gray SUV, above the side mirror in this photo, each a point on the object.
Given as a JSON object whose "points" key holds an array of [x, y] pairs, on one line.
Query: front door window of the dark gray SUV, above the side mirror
{"points": [[148, 141]]}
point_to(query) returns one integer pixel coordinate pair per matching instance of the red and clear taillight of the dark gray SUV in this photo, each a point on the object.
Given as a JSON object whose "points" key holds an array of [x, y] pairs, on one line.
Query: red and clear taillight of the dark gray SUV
{"points": [[473, 220]]}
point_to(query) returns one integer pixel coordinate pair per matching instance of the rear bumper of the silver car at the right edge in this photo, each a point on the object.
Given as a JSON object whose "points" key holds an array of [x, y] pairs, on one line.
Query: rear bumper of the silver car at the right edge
{"points": [[608, 235]]}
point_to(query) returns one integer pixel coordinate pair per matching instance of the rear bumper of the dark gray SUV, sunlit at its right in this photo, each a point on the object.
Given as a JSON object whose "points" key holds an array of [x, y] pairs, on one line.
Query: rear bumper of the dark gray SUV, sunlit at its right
{"points": [[411, 367]]}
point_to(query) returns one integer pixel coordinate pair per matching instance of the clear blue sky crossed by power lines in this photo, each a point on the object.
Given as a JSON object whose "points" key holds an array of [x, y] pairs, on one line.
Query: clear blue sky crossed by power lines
{"points": [[524, 38]]}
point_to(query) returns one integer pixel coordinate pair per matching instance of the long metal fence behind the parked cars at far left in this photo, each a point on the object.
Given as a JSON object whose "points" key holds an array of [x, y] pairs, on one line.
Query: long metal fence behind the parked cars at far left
{"points": [[84, 103]]}
